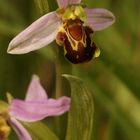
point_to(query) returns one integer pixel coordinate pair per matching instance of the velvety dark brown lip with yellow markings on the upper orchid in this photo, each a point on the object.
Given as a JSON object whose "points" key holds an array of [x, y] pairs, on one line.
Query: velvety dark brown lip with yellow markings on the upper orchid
{"points": [[76, 41]]}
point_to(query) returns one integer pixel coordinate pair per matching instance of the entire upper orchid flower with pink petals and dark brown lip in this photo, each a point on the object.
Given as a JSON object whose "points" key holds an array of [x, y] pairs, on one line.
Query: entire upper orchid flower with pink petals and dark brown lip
{"points": [[71, 25]]}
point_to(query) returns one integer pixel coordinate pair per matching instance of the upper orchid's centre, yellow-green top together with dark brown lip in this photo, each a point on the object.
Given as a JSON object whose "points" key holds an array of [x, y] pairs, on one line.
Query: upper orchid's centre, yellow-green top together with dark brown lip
{"points": [[75, 36]]}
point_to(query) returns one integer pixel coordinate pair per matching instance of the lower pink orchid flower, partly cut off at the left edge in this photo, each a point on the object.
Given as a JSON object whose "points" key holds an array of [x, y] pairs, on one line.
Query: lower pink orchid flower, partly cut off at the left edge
{"points": [[36, 107]]}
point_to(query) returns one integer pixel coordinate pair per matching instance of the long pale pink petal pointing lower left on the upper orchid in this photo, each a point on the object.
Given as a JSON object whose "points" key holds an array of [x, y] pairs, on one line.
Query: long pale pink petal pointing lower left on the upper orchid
{"points": [[37, 35]]}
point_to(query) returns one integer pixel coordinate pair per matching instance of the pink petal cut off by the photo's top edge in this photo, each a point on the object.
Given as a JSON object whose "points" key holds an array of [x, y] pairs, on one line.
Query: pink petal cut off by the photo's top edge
{"points": [[65, 3]]}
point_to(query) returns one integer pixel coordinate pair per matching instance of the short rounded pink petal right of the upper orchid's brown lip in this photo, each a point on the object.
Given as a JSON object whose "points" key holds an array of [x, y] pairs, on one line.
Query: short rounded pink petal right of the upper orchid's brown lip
{"points": [[99, 19]]}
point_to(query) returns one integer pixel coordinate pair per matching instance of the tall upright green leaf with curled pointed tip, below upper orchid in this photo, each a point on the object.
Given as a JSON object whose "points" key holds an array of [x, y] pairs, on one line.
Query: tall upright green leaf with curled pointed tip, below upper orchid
{"points": [[80, 118]]}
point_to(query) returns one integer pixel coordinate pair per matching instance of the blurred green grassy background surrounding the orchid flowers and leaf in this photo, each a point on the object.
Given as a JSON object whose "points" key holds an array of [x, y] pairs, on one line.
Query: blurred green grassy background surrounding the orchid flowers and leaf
{"points": [[113, 78]]}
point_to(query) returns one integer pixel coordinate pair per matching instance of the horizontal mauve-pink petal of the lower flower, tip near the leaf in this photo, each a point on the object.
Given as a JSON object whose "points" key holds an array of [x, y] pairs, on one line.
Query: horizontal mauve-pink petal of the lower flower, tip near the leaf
{"points": [[34, 111]]}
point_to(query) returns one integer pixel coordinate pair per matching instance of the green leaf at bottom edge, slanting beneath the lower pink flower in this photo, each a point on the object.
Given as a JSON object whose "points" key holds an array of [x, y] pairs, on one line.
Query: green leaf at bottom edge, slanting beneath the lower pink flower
{"points": [[40, 131]]}
